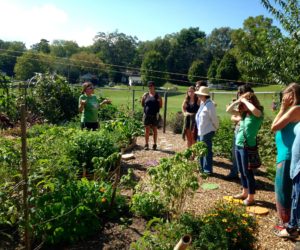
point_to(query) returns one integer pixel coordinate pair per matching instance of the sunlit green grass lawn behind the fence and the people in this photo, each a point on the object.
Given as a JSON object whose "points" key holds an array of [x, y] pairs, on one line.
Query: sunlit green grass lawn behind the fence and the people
{"points": [[122, 96]]}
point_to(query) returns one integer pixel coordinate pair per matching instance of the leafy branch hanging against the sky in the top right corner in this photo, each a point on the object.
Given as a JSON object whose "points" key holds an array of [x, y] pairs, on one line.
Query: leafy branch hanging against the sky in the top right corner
{"points": [[287, 13]]}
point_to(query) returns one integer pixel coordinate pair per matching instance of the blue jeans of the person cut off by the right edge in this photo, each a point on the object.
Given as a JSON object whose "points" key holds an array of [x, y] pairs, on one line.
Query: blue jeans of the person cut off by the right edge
{"points": [[295, 210]]}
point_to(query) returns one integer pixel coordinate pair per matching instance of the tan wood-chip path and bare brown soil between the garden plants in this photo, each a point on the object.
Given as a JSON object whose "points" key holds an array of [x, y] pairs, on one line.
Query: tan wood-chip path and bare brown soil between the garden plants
{"points": [[116, 236]]}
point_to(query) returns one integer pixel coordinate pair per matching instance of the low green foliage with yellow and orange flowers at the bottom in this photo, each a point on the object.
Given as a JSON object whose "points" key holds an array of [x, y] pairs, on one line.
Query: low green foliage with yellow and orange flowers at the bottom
{"points": [[225, 226]]}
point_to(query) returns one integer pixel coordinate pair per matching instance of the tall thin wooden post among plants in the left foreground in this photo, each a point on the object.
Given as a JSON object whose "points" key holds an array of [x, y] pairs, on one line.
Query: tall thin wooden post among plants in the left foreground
{"points": [[25, 176]]}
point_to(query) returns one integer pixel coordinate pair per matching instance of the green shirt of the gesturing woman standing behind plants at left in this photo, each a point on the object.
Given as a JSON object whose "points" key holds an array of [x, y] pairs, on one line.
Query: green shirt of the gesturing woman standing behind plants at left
{"points": [[90, 111]]}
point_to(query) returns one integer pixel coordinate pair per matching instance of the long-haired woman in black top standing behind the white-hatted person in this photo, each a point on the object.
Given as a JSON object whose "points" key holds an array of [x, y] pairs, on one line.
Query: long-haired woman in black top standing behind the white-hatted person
{"points": [[190, 107]]}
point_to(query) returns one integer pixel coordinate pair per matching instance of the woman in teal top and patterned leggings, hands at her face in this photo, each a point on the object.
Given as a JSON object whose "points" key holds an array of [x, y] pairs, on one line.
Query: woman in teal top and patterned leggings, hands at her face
{"points": [[284, 125]]}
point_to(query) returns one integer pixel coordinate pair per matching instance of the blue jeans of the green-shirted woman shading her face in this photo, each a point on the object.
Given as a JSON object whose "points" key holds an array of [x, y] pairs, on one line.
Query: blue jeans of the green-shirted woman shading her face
{"points": [[247, 175]]}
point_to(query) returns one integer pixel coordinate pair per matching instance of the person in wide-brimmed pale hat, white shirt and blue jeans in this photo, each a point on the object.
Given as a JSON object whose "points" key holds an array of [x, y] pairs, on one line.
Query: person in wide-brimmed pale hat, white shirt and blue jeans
{"points": [[207, 124]]}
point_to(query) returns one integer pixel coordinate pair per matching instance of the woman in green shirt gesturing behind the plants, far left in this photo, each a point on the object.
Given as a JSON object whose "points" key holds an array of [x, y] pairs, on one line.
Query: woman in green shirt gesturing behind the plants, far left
{"points": [[88, 107]]}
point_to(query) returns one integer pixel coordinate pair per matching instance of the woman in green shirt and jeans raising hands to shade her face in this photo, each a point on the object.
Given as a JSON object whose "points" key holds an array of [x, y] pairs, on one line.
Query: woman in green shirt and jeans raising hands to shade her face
{"points": [[251, 113]]}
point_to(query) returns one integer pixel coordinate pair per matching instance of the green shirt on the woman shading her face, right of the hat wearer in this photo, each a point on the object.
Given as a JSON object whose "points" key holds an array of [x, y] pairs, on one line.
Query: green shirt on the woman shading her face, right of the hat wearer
{"points": [[249, 126]]}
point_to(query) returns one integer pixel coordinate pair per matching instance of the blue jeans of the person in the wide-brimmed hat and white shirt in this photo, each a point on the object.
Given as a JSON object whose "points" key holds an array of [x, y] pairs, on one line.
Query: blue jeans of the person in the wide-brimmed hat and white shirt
{"points": [[206, 161]]}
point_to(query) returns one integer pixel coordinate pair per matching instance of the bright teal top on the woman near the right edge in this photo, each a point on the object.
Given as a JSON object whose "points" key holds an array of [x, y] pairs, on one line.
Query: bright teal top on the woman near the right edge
{"points": [[284, 139]]}
